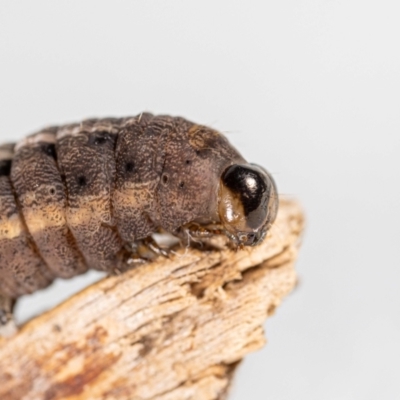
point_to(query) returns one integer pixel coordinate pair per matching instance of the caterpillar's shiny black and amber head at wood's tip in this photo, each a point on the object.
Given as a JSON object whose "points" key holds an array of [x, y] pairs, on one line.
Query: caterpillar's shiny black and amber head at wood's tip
{"points": [[248, 203]]}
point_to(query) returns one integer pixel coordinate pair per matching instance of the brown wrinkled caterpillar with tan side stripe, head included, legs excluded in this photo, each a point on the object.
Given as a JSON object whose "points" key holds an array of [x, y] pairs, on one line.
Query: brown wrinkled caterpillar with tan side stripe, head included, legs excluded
{"points": [[72, 197]]}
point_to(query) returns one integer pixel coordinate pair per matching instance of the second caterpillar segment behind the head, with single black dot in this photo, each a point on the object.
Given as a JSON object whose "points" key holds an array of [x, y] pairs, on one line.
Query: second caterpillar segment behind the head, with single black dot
{"points": [[140, 156]]}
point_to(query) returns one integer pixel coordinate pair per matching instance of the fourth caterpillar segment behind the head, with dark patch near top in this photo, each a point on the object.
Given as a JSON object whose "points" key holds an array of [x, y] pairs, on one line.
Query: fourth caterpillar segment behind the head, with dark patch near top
{"points": [[42, 198]]}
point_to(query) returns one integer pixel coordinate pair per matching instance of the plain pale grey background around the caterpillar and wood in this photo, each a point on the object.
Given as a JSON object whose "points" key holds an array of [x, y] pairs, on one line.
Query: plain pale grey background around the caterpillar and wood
{"points": [[309, 89]]}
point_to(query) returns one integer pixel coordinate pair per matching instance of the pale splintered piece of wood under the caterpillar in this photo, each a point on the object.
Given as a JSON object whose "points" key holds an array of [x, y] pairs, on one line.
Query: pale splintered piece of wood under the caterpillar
{"points": [[168, 330]]}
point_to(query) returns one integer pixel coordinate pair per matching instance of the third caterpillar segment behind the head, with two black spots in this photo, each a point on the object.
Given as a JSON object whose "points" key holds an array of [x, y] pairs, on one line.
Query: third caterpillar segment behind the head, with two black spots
{"points": [[87, 165]]}
